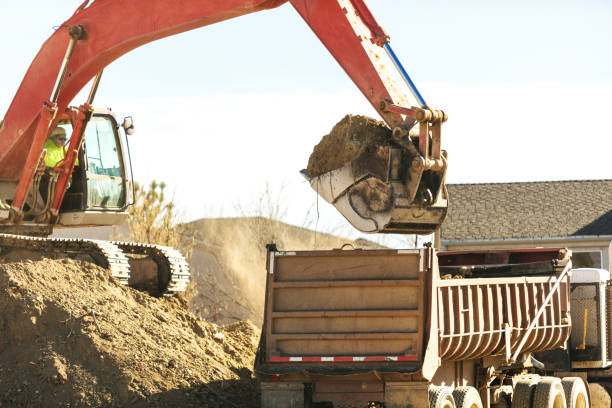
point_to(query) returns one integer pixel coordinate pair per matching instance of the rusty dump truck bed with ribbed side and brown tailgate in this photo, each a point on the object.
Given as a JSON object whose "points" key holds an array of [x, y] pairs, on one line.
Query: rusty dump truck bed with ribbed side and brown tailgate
{"points": [[355, 311]]}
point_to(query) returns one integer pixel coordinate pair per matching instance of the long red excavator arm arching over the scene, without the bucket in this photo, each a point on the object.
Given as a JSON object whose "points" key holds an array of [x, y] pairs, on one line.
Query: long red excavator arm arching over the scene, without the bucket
{"points": [[101, 31]]}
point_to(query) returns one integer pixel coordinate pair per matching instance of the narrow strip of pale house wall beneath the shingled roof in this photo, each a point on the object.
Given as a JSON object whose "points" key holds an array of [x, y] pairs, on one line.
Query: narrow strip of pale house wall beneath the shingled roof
{"points": [[575, 244]]}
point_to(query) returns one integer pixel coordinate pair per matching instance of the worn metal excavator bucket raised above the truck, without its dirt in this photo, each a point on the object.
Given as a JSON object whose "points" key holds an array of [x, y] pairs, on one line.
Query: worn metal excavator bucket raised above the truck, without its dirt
{"points": [[390, 187]]}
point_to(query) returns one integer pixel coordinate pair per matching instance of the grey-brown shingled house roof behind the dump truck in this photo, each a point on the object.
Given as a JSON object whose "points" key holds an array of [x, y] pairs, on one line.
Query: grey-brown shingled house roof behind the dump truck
{"points": [[528, 210]]}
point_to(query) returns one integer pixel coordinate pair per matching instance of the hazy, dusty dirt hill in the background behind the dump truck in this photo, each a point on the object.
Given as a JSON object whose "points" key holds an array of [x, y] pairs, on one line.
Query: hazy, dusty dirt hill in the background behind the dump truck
{"points": [[228, 263]]}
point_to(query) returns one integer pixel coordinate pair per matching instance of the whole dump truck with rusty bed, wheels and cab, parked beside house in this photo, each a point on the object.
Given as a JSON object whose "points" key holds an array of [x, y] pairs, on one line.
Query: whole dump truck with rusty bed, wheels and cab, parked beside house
{"points": [[418, 328]]}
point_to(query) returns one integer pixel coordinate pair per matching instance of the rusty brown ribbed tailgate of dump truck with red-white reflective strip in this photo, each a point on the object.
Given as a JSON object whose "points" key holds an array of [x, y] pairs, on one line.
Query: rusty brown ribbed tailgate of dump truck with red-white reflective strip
{"points": [[358, 308]]}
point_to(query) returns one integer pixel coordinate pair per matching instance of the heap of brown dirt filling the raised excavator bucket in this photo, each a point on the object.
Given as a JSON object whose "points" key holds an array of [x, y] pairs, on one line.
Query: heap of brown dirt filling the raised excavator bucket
{"points": [[348, 139]]}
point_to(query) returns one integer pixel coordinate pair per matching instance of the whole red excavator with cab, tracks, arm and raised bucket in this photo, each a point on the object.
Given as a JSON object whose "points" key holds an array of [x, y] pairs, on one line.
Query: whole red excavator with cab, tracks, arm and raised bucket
{"points": [[93, 184]]}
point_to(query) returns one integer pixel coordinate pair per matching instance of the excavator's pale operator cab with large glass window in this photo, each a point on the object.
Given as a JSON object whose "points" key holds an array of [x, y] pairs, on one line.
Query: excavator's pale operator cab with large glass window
{"points": [[101, 188]]}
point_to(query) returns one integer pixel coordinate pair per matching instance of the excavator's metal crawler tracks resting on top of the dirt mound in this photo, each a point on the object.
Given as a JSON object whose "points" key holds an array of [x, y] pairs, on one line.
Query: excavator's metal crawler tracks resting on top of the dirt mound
{"points": [[172, 268]]}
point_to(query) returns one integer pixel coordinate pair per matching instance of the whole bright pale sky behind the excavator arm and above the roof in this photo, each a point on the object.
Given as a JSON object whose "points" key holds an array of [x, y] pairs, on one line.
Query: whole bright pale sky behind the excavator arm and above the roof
{"points": [[223, 110]]}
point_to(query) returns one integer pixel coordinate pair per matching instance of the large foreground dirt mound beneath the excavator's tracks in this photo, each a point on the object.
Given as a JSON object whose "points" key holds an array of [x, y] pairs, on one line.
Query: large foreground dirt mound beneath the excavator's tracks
{"points": [[70, 335]]}
